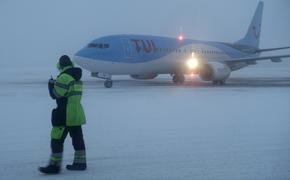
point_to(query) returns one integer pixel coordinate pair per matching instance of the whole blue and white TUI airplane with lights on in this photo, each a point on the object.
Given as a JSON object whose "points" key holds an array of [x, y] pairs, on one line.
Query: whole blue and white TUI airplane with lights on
{"points": [[145, 56]]}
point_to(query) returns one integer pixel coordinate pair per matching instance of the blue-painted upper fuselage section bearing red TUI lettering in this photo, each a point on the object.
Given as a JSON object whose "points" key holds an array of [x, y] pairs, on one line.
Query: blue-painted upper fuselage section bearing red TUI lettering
{"points": [[140, 49]]}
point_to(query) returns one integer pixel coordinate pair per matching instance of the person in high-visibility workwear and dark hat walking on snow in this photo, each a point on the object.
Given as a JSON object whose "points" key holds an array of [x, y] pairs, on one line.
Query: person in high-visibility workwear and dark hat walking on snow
{"points": [[67, 118]]}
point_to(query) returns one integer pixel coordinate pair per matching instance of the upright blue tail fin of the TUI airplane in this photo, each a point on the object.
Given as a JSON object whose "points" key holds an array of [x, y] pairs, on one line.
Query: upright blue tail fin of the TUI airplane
{"points": [[252, 37]]}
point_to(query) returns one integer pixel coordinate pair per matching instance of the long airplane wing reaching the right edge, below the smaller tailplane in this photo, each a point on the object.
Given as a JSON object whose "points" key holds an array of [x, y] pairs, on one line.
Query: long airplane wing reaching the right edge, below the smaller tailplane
{"points": [[272, 58]]}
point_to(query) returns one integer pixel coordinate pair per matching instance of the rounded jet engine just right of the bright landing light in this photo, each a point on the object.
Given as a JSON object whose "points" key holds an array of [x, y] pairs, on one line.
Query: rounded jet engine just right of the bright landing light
{"points": [[214, 71]]}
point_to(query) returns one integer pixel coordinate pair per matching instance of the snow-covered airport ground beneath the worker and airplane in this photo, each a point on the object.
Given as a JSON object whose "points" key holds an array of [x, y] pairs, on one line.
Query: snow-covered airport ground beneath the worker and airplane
{"points": [[156, 130]]}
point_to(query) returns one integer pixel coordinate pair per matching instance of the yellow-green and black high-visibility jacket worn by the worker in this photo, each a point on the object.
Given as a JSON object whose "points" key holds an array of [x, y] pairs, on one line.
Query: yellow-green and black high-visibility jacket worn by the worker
{"points": [[67, 90]]}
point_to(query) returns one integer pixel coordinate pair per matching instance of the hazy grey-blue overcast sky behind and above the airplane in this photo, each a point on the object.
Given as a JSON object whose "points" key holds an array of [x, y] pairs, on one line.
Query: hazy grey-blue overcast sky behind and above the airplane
{"points": [[37, 32]]}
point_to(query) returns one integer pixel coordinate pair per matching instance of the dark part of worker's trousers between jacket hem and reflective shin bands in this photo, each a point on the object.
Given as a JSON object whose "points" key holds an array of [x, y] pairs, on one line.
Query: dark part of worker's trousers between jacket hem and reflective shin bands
{"points": [[75, 133]]}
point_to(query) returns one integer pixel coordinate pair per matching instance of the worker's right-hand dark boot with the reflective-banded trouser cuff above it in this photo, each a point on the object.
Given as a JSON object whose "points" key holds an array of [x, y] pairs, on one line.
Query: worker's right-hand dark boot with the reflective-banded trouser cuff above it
{"points": [[79, 163]]}
